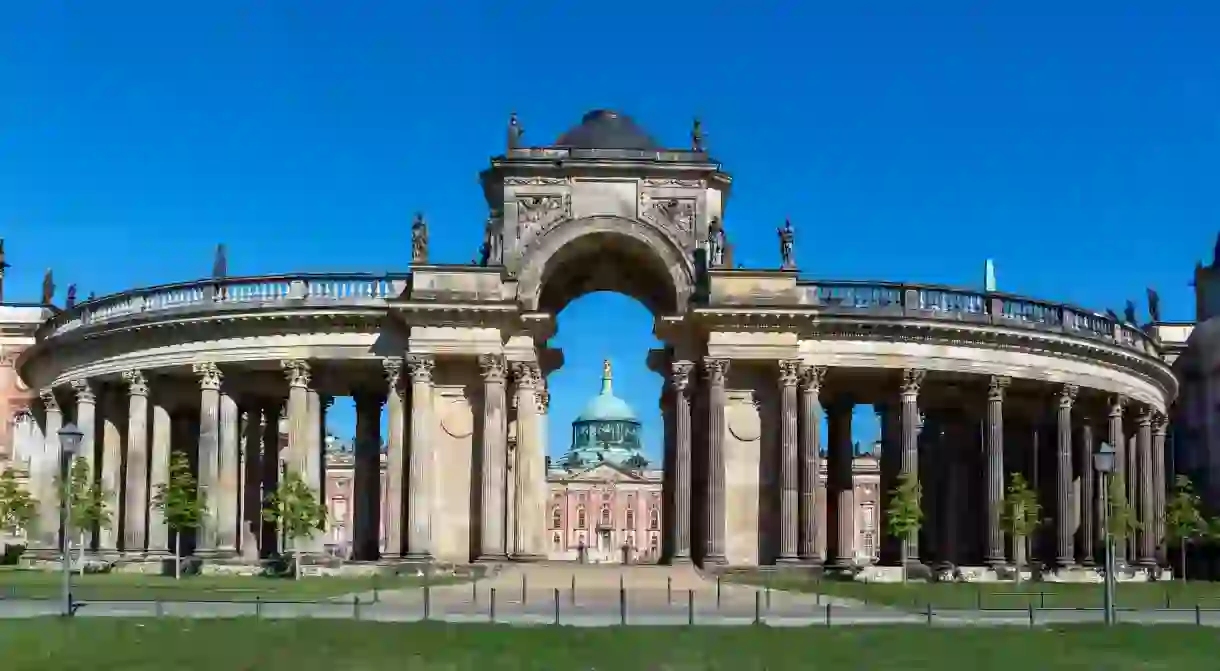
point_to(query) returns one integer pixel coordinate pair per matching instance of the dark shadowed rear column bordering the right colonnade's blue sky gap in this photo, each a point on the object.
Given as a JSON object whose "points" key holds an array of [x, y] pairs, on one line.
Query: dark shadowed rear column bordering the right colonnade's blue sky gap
{"points": [[840, 489]]}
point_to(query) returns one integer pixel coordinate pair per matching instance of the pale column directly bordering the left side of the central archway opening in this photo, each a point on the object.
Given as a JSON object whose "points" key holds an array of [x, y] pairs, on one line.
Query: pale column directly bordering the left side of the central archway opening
{"points": [[531, 467]]}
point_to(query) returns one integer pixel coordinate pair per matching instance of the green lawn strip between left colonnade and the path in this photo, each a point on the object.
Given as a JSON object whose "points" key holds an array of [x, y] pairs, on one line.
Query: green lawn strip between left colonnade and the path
{"points": [[41, 585]]}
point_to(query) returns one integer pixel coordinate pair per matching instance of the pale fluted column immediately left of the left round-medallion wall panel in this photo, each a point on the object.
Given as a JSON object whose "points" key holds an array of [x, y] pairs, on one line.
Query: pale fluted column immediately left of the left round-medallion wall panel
{"points": [[419, 544]]}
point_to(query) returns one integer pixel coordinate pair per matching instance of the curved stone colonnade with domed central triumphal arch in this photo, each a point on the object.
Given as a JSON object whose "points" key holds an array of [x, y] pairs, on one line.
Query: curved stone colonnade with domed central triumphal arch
{"points": [[972, 386]]}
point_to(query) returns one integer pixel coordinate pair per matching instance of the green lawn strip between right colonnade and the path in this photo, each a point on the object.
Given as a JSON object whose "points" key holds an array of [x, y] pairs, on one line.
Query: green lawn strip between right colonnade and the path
{"points": [[1000, 596]]}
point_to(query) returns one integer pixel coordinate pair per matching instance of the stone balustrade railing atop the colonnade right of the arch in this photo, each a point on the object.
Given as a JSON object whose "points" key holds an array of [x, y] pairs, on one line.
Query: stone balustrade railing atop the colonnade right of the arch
{"points": [[966, 306]]}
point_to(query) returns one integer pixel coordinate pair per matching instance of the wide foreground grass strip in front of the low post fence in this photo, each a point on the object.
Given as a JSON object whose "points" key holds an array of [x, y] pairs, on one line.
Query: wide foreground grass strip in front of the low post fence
{"points": [[101, 645]]}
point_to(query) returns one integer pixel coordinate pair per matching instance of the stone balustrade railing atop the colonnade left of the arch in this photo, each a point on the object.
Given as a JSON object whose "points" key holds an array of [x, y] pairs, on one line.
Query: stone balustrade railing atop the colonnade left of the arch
{"points": [[230, 293]]}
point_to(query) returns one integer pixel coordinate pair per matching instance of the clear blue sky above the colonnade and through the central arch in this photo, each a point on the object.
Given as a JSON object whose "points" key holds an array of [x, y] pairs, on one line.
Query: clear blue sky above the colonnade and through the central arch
{"points": [[1078, 146]]}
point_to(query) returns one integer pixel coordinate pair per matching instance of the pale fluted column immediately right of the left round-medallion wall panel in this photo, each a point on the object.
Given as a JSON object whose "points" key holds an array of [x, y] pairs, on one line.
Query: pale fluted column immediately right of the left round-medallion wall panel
{"points": [[493, 459]]}
